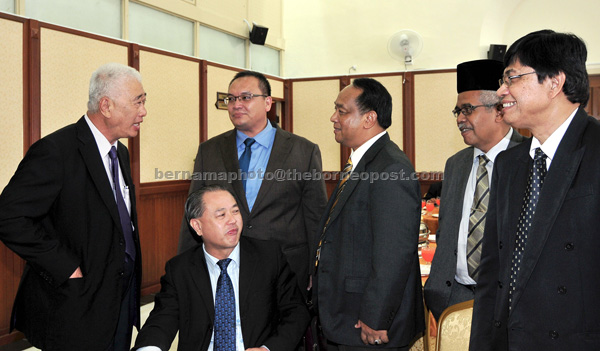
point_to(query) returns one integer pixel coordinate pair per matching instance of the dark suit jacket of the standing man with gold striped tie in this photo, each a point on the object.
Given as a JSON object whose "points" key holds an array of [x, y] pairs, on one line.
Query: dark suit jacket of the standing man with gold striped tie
{"points": [[369, 267]]}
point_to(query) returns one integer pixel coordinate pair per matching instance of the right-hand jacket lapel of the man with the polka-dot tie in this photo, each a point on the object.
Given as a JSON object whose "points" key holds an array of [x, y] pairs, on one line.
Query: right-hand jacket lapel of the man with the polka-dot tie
{"points": [[558, 181]]}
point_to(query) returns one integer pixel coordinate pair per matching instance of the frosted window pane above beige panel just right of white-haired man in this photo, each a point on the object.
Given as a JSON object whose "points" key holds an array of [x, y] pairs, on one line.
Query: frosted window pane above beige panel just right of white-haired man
{"points": [[160, 30]]}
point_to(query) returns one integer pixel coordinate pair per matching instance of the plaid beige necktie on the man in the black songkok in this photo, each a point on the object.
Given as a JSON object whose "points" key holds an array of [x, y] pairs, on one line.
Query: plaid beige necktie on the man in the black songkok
{"points": [[477, 217]]}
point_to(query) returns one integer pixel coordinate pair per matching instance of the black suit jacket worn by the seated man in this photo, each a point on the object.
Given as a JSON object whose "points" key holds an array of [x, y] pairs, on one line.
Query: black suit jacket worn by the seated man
{"points": [[272, 310]]}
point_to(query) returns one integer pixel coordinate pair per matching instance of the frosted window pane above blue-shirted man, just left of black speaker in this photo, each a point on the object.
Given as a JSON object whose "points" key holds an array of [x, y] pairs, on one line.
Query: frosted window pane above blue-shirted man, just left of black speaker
{"points": [[220, 47]]}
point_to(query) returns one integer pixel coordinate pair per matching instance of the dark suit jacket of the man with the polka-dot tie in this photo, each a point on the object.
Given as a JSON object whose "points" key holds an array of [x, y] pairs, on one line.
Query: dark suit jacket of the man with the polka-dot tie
{"points": [[557, 297]]}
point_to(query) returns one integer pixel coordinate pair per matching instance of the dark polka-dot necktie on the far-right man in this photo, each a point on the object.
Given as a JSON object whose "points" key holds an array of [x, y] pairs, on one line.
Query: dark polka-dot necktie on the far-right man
{"points": [[534, 185]]}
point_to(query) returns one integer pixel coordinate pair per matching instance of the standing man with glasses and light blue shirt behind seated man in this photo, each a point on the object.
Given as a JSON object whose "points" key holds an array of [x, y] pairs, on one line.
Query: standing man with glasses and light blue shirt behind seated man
{"points": [[276, 200]]}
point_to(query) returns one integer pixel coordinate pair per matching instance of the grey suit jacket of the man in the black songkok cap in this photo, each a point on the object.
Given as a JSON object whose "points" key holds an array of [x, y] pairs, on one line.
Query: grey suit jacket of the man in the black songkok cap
{"points": [[439, 288]]}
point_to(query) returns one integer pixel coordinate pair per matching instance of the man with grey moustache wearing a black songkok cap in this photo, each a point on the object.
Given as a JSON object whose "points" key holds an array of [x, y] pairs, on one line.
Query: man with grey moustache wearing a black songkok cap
{"points": [[455, 266]]}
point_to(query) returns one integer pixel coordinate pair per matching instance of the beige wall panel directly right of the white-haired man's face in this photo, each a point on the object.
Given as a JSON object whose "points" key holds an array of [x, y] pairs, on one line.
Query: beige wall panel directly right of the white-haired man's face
{"points": [[170, 134]]}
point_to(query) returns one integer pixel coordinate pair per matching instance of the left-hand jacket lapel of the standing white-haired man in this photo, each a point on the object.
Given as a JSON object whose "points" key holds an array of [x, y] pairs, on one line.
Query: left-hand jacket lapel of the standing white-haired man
{"points": [[91, 157]]}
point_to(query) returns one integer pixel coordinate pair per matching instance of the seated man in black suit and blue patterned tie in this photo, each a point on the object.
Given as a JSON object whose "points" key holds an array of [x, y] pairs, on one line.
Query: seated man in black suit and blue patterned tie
{"points": [[228, 293]]}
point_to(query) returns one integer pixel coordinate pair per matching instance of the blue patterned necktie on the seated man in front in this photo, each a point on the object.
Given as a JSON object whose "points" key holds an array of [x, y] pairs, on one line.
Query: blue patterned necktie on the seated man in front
{"points": [[224, 339]]}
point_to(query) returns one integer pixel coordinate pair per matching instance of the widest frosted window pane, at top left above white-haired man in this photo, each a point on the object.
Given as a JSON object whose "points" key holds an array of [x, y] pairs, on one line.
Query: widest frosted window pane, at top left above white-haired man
{"points": [[96, 16]]}
